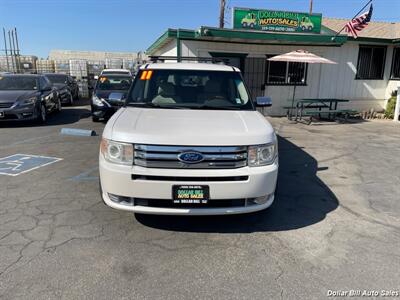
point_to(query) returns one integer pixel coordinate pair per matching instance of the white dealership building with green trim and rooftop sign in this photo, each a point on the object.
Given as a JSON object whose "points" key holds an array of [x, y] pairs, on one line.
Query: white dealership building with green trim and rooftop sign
{"points": [[367, 70]]}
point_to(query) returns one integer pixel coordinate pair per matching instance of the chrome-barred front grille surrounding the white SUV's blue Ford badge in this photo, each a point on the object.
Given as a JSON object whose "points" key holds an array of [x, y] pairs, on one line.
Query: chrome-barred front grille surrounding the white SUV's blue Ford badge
{"points": [[225, 157]]}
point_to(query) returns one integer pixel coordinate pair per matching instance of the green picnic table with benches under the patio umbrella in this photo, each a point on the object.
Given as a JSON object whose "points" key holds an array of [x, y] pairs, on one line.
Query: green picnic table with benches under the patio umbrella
{"points": [[321, 107]]}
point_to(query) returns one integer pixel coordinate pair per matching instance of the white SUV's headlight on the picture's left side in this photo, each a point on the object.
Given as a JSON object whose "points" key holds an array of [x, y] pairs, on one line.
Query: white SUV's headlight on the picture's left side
{"points": [[116, 152]]}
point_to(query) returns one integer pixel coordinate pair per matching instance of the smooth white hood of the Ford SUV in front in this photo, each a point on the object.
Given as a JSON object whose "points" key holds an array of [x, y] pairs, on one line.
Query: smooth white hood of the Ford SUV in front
{"points": [[189, 127]]}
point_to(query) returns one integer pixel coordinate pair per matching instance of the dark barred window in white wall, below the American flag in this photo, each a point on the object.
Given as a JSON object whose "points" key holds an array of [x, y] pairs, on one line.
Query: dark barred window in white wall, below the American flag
{"points": [[371, 62]]}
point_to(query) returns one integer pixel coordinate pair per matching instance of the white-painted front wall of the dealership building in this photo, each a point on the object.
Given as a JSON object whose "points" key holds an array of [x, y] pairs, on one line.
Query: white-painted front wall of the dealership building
{"points": [[335, 81]]}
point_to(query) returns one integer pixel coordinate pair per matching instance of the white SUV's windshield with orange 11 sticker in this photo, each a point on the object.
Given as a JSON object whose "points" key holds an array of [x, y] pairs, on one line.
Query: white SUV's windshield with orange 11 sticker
{"points": [[190, 89]]}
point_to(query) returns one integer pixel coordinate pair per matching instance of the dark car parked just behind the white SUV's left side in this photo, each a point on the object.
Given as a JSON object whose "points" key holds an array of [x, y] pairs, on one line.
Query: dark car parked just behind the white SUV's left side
{"points": [[109, 95]]}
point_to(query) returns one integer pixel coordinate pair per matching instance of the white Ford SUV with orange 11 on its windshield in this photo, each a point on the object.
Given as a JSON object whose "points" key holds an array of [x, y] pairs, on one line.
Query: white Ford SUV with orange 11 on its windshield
{"points": [[189, 141]]}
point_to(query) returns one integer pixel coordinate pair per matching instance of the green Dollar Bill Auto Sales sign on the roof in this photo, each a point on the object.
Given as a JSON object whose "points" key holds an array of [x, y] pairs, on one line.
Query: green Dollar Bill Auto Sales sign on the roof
{"points": [[273, 20]]}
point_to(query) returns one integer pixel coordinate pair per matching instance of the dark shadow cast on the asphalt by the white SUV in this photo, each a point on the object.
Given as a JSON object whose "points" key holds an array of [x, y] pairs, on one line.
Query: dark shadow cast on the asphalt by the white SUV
{"points": [[302, 199]]}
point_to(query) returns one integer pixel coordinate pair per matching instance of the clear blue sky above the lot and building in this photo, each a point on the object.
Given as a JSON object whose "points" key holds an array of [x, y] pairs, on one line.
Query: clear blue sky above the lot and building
{"points": [[133, 25]]}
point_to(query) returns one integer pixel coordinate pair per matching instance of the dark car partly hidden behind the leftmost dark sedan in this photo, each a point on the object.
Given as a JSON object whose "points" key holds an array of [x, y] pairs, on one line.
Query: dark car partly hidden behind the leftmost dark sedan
{"points": [[66, 86]]}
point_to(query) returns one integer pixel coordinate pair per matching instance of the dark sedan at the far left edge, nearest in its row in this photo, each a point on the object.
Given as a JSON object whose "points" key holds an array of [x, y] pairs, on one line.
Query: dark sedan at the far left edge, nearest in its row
{"points": [[27, 97]]}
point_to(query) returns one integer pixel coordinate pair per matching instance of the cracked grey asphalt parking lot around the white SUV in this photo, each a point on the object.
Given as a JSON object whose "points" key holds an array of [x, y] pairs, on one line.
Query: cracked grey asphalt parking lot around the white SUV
{"points": [[334, 224]]}
